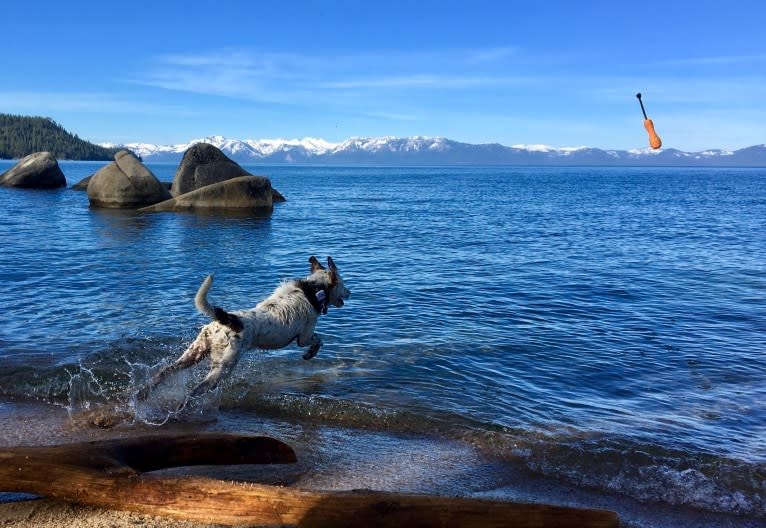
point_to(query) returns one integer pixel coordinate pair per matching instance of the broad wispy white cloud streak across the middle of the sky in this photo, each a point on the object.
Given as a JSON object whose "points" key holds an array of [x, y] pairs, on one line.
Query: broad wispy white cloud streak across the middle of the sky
{"points": [[293, 78]]}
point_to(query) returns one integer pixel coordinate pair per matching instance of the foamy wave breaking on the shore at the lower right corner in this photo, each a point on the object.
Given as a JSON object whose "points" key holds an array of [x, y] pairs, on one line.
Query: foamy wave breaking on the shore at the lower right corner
{"points": [[644, 471]]}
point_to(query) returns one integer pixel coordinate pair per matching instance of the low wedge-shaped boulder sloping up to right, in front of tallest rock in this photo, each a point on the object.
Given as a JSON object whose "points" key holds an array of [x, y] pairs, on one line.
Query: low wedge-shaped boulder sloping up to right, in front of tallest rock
{"points": [[242, 194]]}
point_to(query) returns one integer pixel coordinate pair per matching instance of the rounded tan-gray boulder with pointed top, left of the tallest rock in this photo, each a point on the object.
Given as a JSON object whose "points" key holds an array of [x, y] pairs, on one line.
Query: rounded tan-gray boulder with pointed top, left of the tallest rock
{"points": [[125, 183]]}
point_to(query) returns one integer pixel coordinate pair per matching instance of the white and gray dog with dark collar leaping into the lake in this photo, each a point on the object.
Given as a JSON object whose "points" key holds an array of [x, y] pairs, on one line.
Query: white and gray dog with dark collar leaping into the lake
{"points": [[289, 314]]}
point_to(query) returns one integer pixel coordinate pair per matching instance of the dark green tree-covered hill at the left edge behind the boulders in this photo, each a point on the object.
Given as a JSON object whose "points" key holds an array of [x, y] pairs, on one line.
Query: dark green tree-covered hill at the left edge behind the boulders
{"points": [[23, 135]]}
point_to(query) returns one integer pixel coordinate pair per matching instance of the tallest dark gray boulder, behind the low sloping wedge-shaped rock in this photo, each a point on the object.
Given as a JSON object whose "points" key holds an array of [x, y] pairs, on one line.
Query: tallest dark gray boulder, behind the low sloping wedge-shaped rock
{"points": [[202, 165]]}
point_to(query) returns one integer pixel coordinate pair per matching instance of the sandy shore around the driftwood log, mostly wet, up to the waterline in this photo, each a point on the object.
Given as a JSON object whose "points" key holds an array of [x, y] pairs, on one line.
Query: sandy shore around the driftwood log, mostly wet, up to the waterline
{"points": [[329, 458]]}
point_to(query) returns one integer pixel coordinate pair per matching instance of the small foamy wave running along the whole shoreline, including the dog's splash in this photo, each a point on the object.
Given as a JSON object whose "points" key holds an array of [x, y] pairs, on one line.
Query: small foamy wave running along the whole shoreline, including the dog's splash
{"points": [[101, 392]]}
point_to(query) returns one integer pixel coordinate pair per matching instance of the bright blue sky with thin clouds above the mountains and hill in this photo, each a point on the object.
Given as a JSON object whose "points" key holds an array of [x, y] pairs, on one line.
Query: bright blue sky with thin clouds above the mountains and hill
{"points": [[563, 74]]}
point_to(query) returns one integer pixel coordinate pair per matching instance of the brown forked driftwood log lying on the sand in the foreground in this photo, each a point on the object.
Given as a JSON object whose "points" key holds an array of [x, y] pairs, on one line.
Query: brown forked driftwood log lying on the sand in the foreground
{"points": [[112, 474]]}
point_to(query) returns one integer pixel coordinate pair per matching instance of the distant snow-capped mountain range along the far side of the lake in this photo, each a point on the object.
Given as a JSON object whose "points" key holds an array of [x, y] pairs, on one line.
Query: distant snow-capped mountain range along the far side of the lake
{"points": [[420, 150]]}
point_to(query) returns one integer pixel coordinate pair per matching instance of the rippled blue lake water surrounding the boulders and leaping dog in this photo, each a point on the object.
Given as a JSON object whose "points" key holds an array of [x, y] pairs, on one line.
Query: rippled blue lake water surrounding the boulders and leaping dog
{"points": [[603, 327]]}
